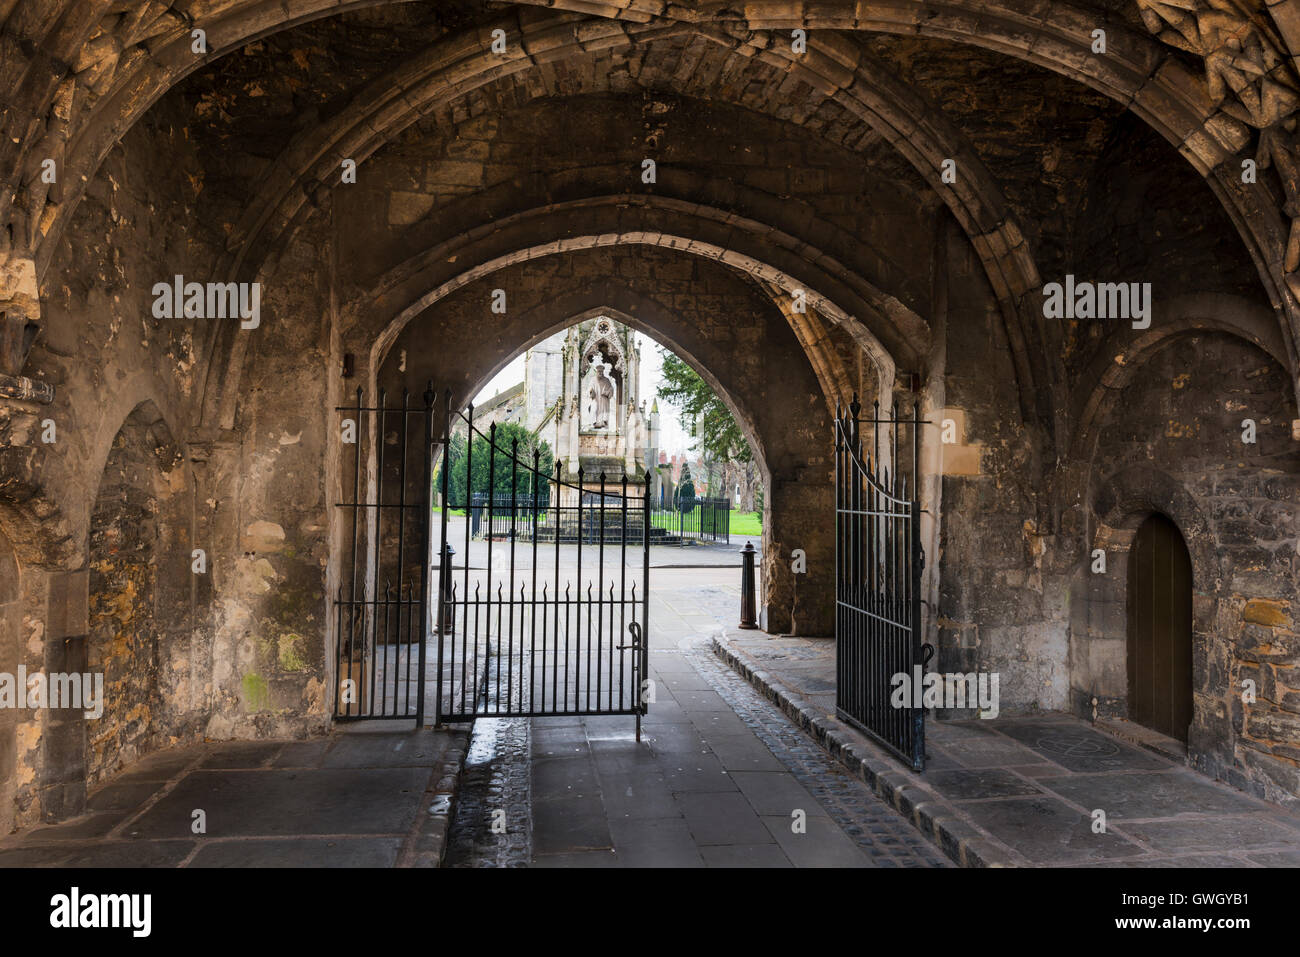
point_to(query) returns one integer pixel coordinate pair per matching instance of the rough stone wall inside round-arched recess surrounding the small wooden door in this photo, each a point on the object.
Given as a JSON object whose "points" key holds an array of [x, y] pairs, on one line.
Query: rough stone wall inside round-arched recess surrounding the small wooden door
{"points": [[1173, 443]]}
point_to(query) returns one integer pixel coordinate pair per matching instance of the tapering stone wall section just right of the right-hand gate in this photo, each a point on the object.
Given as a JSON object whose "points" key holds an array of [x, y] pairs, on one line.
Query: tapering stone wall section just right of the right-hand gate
{"points": [[993, 610]]}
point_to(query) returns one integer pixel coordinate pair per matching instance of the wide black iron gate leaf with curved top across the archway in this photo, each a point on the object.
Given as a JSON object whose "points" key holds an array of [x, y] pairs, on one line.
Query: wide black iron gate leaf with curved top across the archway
{"points": [[543, 596]]}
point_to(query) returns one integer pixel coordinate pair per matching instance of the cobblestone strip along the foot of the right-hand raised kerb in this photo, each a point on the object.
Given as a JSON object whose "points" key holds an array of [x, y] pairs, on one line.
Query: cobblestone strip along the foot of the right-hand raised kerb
{"points": [[886, 835]]}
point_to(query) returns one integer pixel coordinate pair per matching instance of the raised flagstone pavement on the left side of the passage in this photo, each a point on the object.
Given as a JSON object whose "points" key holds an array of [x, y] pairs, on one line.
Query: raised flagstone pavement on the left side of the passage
{"points": [[362, 798]]}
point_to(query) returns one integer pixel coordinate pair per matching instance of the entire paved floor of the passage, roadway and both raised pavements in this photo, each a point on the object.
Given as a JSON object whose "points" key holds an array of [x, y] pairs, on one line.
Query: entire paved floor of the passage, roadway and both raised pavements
{"points": [[725, 776]]}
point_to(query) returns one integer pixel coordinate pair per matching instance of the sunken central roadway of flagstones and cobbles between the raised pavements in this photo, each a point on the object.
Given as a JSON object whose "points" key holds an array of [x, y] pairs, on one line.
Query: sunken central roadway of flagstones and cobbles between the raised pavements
{"points": [[722, 778]]}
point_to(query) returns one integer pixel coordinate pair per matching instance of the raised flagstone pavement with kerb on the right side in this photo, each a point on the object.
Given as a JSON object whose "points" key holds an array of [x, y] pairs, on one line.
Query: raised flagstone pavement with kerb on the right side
{"points": [[1024, 791]]}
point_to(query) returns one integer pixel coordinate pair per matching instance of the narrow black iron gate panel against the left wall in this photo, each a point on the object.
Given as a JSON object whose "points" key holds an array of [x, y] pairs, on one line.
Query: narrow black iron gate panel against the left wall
{"points": [[383, 599]]}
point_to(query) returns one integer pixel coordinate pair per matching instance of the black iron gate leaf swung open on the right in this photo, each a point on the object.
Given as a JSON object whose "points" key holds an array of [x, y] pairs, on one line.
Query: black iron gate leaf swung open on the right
{"points": [[881, 657]]}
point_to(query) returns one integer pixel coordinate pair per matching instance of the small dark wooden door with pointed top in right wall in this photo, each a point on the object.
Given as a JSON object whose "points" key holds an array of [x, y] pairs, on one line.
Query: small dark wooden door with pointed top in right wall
{"points": [[1160, 629]]}
